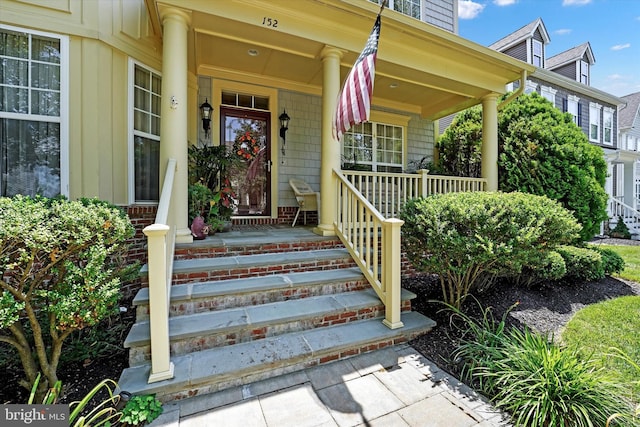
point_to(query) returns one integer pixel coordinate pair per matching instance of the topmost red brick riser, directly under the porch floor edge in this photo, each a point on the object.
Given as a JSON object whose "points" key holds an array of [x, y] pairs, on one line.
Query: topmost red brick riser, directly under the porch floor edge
{"points": [[218, 251]]}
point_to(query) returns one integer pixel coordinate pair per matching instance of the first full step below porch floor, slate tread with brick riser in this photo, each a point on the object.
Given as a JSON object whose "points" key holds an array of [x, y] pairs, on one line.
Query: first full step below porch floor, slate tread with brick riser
{"points": [[242, 266]]}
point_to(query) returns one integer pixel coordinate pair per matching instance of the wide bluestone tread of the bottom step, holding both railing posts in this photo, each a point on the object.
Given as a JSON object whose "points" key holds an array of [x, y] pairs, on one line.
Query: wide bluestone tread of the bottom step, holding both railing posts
{"points": [[235, 361]]}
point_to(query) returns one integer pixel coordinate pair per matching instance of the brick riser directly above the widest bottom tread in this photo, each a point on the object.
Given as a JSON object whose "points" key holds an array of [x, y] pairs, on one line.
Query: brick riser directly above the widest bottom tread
{"points": [[141, 354]]}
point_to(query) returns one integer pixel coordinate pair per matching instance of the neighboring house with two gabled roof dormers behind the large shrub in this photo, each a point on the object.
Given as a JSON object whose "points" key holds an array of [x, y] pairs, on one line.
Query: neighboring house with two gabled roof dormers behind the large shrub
{"points": [[564, 79]]}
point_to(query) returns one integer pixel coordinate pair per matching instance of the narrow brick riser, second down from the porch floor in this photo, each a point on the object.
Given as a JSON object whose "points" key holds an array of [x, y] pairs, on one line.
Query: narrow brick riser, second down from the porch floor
{"points": [[255, 271]]}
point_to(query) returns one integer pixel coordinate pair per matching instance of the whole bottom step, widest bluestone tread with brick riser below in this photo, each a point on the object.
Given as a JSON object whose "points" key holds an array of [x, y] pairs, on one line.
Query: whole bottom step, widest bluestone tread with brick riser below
{"points": [[224, 367]]}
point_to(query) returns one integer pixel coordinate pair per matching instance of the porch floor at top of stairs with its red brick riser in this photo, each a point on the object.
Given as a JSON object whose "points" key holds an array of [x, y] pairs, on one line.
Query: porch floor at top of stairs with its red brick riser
{"points": [[249, 242]]}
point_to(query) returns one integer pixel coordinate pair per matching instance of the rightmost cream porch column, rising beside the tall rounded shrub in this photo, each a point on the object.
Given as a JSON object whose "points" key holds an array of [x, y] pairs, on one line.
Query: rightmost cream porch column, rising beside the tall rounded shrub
{"points": [[490, 141]]}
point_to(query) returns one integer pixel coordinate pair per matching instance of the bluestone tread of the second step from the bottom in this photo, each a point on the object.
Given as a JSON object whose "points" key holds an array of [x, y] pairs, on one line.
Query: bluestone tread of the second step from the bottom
{"points": [[257, 316]]}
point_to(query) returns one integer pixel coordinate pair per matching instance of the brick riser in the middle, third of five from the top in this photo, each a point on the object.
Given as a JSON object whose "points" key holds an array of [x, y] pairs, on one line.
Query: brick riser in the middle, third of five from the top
{"points": [[223, 302]]}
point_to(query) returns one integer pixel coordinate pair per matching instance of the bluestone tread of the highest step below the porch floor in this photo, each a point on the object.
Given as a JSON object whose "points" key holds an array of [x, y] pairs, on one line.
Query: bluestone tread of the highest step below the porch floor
{"points": [[253, 260]]}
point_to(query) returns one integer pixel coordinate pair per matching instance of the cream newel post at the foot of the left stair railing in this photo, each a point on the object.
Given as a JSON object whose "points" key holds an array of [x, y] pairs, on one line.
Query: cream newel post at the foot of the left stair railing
{"points": [[161, 365]]}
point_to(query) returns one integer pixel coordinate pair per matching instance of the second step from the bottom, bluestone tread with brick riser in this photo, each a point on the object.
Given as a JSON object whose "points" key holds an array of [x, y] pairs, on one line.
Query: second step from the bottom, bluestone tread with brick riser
{"points": [[195, 332]]}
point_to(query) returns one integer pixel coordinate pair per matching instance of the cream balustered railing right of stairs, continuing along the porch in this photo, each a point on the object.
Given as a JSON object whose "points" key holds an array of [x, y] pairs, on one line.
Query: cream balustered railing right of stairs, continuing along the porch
{"points": [[367, 206]]}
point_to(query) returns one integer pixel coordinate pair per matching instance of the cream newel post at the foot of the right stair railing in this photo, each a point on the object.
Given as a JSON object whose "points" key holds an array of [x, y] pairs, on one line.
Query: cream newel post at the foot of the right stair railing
{"points": [[391, 260]]}
